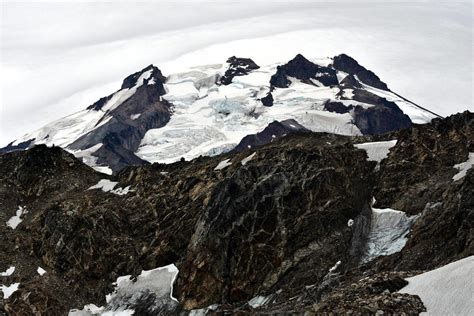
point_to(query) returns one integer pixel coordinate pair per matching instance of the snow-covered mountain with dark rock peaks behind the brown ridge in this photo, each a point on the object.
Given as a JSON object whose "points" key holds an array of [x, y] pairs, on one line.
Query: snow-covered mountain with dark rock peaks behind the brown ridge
{"points": [[209, 109]]}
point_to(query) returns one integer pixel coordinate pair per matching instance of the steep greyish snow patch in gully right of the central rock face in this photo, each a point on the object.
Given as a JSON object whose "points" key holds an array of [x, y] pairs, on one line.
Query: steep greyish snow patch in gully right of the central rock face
{"points": [[388, 232]]}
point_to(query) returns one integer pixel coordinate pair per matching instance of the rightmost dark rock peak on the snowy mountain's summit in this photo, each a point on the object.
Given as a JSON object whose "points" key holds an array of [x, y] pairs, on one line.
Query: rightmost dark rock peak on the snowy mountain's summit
{"points": [[352, 67]]}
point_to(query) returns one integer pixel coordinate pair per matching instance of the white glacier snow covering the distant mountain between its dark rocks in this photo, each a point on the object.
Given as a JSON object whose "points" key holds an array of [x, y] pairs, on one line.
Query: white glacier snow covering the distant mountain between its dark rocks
{"points": [[209, 118]]}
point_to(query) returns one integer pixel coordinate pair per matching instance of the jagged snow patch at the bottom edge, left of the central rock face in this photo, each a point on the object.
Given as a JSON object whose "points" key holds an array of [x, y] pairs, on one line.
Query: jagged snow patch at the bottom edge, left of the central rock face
{"points": [[127, 292]]}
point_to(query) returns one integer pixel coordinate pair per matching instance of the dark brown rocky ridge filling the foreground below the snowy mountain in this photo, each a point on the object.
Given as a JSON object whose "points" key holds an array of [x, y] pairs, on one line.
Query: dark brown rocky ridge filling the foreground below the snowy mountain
{"points": [[288, 226]]}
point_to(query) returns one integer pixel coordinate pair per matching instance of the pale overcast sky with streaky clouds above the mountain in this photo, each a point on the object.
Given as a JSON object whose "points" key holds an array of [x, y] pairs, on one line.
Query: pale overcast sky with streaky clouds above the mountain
{"points": [[59, 57]]}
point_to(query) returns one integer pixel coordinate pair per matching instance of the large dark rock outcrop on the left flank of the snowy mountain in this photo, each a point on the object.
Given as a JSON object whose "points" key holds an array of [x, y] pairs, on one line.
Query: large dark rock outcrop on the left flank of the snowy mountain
{"points": [[121, 134]]}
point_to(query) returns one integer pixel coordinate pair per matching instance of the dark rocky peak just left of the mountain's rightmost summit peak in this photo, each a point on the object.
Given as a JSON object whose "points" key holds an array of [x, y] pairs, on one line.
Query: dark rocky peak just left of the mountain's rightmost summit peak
{"points": [[301, 68]]}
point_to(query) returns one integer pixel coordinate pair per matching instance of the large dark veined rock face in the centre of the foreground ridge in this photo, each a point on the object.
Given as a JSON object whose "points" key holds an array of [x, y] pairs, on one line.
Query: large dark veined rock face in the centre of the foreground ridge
{"points": [[265, 223]]}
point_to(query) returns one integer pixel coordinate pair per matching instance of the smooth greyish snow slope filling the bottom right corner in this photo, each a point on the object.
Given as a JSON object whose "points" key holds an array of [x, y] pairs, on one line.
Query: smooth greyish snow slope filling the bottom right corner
{"points": [[447, 290]]}
